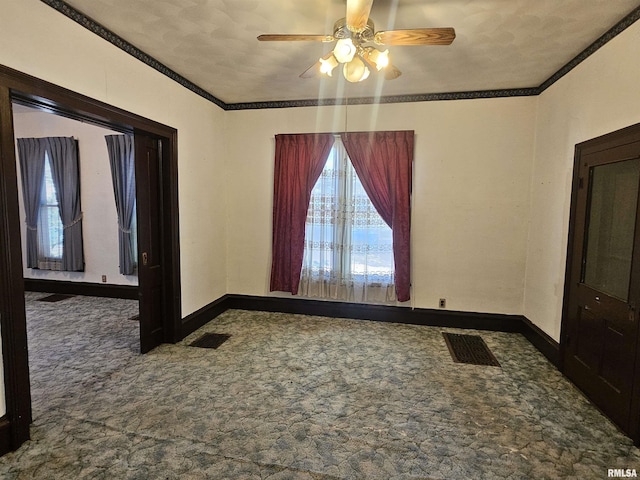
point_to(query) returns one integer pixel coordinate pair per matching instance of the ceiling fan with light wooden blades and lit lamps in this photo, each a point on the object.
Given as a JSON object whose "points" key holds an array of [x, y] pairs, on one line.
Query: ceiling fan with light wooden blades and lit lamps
{"points": [[357, 44]]}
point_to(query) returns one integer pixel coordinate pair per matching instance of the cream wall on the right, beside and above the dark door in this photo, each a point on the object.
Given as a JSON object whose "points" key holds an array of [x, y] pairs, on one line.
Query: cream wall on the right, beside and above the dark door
{"points": [[601, 95]]}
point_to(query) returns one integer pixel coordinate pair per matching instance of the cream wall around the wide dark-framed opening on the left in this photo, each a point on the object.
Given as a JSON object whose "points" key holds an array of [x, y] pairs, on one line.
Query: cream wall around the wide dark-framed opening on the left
{"points": [[39, 41]]}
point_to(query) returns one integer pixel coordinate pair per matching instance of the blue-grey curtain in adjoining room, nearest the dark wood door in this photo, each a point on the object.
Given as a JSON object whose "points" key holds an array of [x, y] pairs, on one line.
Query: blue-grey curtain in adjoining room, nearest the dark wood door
{"points": [[121, 160]]}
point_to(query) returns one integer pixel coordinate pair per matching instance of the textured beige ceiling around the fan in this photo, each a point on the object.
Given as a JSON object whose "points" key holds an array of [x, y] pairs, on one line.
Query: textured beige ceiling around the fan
{"points": [[500, 44]]}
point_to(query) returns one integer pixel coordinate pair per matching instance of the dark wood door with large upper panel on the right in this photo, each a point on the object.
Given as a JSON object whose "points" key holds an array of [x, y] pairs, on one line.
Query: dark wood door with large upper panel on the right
{"points": [[600, 328]]}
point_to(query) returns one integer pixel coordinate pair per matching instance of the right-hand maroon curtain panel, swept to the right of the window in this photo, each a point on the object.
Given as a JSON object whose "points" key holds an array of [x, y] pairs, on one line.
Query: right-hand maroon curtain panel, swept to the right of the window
{"points": [[383, 162]]}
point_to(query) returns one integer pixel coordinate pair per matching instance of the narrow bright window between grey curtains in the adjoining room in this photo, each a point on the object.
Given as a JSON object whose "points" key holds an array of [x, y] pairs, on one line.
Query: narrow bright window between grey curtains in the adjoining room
{"points": [[49, 224]]}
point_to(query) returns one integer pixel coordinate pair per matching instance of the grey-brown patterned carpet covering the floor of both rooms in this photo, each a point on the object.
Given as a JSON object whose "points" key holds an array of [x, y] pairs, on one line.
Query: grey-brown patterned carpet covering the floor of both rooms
{"points": [[297, 397]]}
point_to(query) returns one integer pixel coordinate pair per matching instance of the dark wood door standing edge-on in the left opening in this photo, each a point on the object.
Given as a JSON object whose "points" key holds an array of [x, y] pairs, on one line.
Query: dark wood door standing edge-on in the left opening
{"points": [[150, 254]]}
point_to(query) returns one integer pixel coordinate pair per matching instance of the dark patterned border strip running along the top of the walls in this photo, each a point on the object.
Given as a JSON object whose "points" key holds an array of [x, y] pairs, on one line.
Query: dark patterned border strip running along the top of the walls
{"points": [[121, 43]]}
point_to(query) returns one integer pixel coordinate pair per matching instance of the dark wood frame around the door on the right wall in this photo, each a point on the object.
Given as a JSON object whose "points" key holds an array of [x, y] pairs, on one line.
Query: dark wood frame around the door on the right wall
{"points": [[608, 141]]}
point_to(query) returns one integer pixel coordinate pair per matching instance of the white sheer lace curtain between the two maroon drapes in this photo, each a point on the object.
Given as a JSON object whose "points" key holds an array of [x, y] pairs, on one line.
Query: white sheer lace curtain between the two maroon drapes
{"points": [[348, 246]]}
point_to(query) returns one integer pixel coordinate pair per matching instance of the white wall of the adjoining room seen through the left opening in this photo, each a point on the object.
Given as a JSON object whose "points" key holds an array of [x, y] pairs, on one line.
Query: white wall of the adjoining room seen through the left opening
{"points": [[100, 219]]}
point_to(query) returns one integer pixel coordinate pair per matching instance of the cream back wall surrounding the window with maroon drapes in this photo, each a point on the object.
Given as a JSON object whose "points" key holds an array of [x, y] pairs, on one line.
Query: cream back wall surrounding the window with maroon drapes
{"points": [[470, 198]]}
